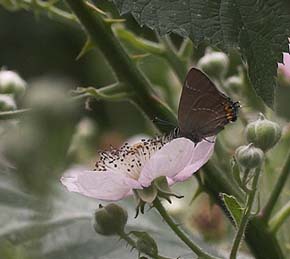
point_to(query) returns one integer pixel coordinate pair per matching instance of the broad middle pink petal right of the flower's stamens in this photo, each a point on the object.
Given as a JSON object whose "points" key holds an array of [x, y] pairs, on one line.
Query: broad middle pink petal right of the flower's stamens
{"points": [[168, 161]]}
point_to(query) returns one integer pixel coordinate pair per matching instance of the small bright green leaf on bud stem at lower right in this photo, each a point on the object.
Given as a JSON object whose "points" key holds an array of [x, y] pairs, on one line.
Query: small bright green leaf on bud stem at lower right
{"points": [[233, 207]]}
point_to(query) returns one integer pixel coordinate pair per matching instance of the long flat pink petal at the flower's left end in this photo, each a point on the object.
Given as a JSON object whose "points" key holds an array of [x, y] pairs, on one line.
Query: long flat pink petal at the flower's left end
{"points": [[106, 185]]}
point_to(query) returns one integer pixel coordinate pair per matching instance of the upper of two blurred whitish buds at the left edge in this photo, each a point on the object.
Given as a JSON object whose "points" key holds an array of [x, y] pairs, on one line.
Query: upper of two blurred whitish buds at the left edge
{"points": [[11, 83]]}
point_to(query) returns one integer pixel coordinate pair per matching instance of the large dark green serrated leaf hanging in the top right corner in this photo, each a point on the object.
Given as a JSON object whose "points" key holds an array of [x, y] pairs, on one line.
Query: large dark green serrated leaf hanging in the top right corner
{"points": [[259, 29]]}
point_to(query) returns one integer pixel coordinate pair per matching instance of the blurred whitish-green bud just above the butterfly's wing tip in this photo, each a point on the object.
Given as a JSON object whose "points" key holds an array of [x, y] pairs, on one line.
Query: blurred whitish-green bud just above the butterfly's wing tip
{"points": [[214, 63]]}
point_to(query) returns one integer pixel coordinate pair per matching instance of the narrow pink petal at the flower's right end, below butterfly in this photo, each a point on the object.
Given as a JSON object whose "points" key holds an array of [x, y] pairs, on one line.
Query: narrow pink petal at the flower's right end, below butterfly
{"points": [[202, 153]]}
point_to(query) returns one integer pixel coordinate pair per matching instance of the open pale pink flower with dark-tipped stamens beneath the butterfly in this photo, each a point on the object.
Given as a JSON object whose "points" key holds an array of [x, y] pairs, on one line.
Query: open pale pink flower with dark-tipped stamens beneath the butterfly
{"points": [[119, 171]]}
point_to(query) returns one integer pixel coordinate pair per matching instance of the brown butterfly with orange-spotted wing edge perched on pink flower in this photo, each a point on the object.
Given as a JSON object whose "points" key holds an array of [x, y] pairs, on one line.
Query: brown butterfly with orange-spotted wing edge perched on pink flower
{"points": [[203, 110]]}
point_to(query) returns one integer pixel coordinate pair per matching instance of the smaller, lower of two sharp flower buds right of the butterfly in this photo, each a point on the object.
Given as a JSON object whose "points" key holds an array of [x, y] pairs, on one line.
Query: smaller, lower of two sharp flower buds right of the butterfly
{"points": [[249, 156]]}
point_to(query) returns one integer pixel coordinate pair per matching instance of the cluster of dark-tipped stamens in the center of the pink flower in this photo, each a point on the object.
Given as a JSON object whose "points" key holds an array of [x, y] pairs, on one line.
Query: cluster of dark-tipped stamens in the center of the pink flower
{"points": [[130, 159]]}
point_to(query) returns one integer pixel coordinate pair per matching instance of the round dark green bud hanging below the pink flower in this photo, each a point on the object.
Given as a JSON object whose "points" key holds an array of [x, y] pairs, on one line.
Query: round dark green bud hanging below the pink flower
{"points": [[110, 220]]}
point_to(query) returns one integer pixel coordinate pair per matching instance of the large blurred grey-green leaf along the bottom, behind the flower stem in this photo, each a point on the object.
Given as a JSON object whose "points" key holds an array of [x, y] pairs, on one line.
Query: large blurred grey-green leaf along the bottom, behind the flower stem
{"points": [[64, 229]]}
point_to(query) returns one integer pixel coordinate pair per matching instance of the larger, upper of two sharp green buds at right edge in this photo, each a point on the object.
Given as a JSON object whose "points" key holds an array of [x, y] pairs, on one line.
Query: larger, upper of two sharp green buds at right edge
{"points": [[263, 133]]}
